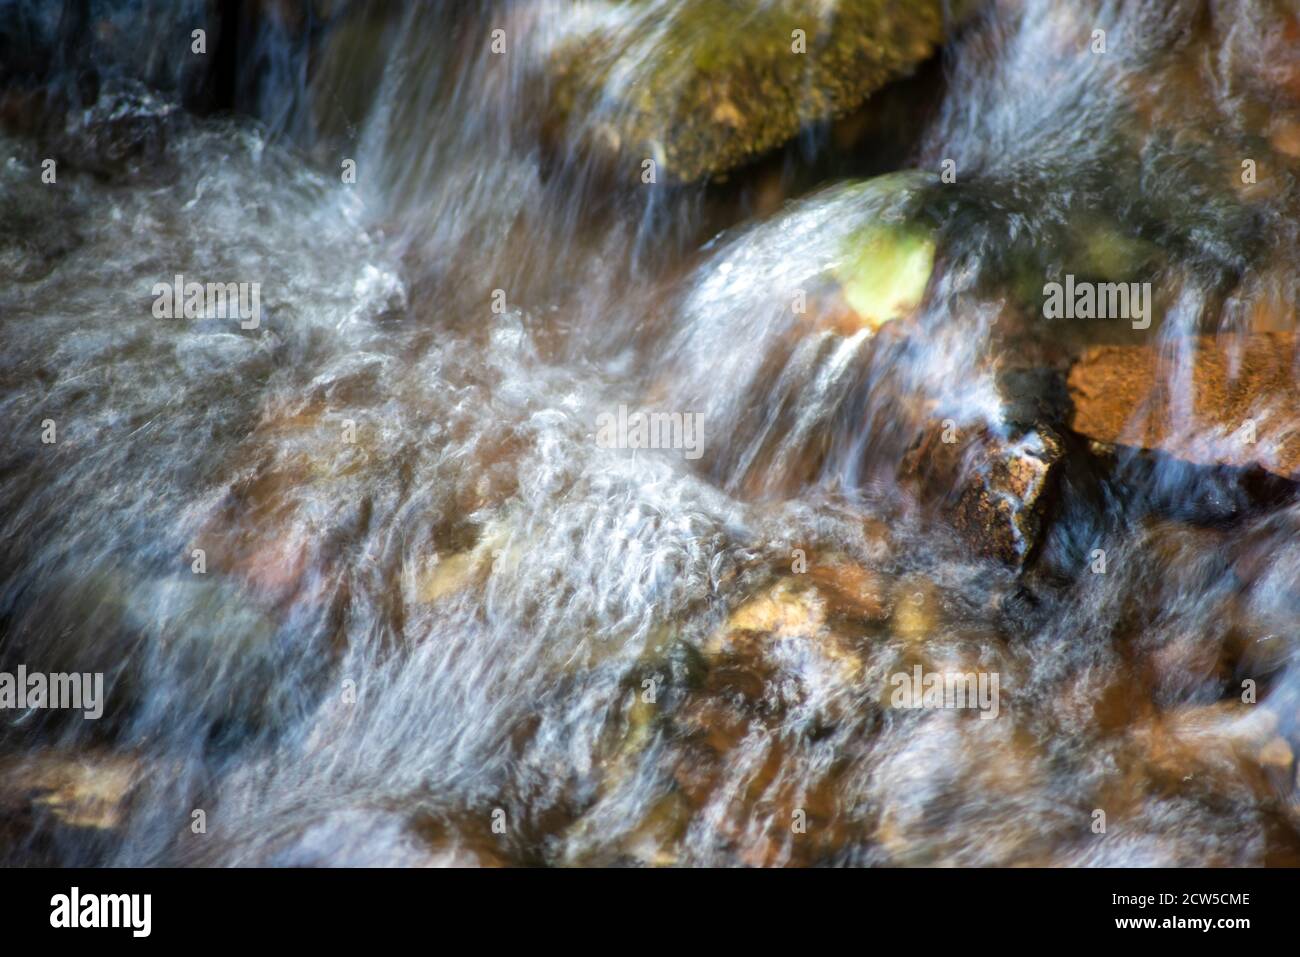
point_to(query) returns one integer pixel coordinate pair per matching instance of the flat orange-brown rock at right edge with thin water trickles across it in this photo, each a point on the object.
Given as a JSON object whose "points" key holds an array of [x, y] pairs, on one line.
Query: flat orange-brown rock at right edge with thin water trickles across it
{"points": [[1123, 396]]}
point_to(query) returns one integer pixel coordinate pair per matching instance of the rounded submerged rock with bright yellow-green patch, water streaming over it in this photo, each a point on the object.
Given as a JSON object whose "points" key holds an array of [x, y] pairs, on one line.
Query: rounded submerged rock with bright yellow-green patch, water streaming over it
{"points": [[807, 292]]}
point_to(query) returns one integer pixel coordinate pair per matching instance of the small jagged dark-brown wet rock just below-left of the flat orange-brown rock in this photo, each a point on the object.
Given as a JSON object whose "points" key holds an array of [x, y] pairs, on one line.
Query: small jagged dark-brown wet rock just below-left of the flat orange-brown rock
{"points": [[993, 488]]}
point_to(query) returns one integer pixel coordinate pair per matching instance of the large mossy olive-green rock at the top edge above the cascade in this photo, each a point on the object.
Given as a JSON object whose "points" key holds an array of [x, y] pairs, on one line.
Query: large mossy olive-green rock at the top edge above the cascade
{"points": [[704, 86]]}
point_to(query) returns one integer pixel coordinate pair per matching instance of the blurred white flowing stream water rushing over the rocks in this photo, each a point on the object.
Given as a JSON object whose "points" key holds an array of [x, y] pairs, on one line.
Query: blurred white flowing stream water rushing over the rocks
{"points": [[440, 622]]}
